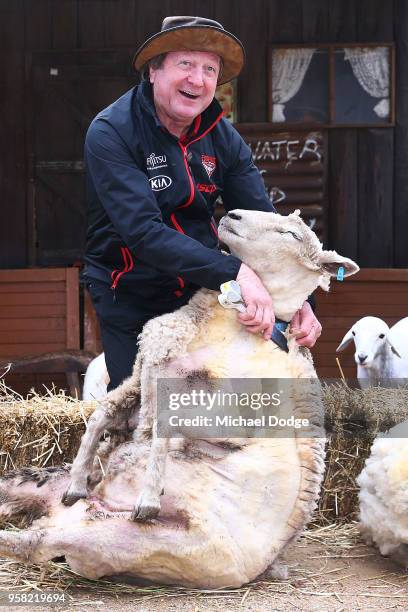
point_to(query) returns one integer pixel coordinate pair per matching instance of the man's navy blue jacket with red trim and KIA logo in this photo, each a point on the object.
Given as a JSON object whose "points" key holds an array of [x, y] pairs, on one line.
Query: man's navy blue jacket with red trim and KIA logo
{"points": [[151, 198]]}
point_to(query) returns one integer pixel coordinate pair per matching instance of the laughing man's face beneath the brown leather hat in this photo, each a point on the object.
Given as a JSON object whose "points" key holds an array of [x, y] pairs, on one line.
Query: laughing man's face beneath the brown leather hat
{"points": [[184, 85]]}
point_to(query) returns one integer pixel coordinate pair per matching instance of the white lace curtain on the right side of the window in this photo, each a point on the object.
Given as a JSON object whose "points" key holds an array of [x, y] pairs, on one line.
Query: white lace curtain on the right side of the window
{"points": [[372, 70]]}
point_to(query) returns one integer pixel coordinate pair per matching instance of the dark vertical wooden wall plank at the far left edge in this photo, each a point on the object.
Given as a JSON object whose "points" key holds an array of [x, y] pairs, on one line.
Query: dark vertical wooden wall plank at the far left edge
{"points": [[13, 237]]}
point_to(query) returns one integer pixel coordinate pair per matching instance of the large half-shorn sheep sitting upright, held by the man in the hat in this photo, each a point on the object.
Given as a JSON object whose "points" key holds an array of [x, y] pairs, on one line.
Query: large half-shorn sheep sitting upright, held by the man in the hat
{"points": [[228, 509]]}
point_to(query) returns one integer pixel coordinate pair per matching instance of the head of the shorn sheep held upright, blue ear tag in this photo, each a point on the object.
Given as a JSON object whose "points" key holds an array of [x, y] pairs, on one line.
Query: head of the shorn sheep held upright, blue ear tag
{"points": [[264, 241]]}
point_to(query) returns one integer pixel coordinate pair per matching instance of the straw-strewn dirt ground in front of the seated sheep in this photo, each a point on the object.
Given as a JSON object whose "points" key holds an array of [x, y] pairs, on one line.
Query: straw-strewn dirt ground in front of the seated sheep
{"points": [[329, 569]]}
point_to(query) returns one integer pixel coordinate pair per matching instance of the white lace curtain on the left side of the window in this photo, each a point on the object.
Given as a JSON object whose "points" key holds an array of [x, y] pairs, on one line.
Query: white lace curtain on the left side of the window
{"points": [[289, 67]]}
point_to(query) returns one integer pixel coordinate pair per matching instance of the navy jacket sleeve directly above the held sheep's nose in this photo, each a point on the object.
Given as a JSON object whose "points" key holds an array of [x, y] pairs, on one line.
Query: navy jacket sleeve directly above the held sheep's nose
{"points": [[243, 184]]}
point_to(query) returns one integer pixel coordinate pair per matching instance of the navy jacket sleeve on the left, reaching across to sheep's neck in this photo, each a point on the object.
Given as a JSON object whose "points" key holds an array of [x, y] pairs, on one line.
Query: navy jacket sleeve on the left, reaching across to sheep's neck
{"points": [[124, 191]]}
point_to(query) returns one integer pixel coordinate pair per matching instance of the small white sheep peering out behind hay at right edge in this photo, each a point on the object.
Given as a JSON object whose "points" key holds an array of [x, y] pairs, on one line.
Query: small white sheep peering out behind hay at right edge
{"points": [[381, 352]]}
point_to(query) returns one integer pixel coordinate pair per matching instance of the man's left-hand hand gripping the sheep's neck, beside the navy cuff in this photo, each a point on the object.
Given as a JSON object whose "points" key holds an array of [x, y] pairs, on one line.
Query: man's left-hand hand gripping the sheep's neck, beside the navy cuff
{"points": [[259, 315]]}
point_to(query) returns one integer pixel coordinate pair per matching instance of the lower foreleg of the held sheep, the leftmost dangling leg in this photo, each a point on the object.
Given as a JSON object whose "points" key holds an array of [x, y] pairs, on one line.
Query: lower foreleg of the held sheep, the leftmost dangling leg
{"points": [[83, 462]]}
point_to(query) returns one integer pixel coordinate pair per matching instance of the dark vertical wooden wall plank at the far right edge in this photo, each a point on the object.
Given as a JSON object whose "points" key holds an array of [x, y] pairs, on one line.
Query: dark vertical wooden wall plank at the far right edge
{"points": [[401, 136]]}
